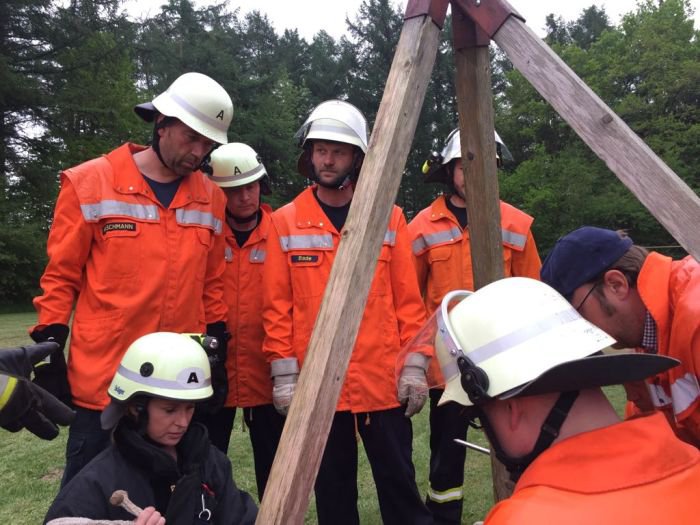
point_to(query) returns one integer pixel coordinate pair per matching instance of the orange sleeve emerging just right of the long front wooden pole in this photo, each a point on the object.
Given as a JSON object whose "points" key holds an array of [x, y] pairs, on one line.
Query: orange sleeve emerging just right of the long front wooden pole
{"points": [[410, 310]]}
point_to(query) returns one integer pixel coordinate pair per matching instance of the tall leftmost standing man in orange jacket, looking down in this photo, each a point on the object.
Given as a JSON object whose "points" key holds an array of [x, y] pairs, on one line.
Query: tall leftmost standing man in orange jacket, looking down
{"points": [[136, 246]]}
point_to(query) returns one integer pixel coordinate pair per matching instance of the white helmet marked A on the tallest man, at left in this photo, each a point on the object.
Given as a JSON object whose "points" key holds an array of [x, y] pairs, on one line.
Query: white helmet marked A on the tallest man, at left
{"points": [[198, 101]]}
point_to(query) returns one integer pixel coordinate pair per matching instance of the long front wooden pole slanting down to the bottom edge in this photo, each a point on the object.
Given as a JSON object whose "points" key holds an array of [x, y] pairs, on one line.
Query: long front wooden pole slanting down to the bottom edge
{"points": [[310, 416]]}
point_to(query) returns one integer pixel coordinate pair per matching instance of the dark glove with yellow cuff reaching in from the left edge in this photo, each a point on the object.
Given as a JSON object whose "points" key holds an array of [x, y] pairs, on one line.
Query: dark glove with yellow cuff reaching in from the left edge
{"points": [[23, 404]]}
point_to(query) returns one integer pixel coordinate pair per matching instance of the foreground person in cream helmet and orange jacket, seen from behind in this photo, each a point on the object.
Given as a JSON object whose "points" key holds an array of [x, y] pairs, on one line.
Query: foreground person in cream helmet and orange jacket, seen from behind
{"points": [[531, 368]]}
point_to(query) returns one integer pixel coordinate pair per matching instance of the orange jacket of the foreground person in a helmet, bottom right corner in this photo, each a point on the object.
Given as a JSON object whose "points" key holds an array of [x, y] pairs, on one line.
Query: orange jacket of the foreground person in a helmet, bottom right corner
{"points": [[636, 471]]}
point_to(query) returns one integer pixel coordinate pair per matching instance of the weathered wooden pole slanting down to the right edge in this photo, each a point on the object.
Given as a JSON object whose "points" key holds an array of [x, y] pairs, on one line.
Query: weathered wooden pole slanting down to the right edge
{"points": [[656, 186]]}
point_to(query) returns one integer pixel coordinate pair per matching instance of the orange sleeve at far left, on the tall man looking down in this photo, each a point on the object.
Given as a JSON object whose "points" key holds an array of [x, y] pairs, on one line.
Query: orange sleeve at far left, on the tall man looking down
{"points": [[68, 248]]}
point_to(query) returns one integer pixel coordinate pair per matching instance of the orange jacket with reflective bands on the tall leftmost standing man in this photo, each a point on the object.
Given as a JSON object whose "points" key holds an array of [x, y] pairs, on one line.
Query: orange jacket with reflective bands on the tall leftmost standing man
{"points": [[133, 266]]}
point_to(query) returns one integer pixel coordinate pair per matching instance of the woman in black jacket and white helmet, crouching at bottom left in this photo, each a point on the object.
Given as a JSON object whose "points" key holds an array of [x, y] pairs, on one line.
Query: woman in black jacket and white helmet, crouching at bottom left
{"points": [[158, 456]]}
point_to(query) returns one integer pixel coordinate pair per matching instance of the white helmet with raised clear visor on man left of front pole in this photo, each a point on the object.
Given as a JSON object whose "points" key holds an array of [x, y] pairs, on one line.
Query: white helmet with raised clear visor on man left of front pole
{"points": [[337, 121]]}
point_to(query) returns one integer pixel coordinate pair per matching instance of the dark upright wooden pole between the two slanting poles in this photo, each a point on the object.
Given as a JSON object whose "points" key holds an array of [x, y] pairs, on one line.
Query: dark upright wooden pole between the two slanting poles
{"points": [[475, 107]]}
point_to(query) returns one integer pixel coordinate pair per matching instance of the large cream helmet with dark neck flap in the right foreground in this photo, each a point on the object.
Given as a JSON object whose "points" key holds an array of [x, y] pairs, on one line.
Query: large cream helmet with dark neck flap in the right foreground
{"points": [[519, 337]]}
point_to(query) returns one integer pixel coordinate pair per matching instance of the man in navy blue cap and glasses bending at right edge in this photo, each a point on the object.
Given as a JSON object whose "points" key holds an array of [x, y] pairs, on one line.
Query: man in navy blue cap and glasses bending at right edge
{"points": [[645, 301]]}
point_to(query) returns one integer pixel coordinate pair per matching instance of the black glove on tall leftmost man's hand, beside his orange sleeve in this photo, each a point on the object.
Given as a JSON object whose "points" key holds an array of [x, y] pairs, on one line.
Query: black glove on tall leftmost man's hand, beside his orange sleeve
{"points": [[52, 375]]}
